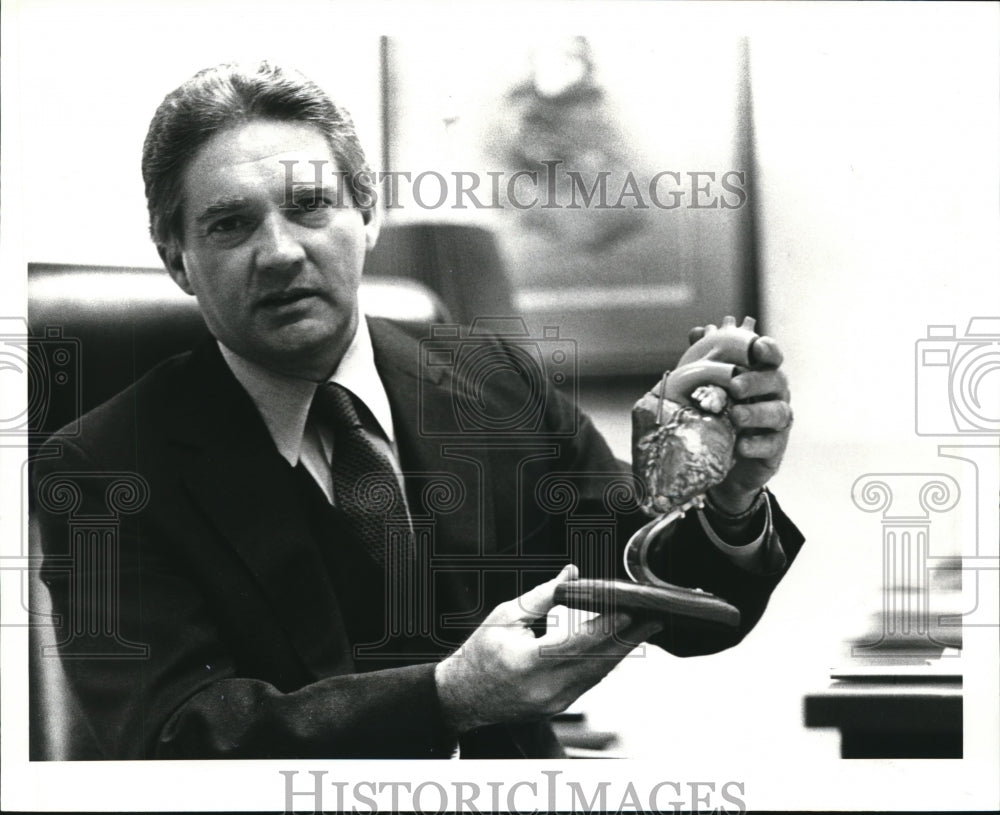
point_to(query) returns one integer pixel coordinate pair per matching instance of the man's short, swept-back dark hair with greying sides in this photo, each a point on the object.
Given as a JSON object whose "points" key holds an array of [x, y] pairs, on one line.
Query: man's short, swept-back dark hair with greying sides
{"points": [[215, 99]]}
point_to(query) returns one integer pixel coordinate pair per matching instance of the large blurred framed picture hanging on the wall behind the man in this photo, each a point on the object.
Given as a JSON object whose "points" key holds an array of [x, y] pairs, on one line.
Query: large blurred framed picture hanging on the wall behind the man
{"points": [[618, 182]]}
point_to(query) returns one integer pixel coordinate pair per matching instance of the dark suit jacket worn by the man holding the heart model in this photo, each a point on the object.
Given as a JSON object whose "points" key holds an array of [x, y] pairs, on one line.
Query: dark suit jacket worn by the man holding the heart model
{"points": [[215, 572]]}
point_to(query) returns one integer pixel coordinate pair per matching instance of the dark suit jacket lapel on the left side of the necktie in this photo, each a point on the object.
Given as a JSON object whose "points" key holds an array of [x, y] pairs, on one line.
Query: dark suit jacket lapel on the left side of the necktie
{"points": [[236, 475]]}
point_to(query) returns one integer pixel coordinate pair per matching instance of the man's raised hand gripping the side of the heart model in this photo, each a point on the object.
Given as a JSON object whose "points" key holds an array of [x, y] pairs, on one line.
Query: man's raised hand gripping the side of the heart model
{"points": [[762, 416]]}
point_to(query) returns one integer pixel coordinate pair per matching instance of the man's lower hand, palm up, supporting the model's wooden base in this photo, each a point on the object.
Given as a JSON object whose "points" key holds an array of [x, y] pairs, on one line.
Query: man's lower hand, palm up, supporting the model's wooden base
{"points": [[504, 673]]}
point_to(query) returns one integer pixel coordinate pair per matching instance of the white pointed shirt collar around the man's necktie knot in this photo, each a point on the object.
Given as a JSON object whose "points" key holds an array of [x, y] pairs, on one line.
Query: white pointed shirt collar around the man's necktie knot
{"points": [[284, 401]]}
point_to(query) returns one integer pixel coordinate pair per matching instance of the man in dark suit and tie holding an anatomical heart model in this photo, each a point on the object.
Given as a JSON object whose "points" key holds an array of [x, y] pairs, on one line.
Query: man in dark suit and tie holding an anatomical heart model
{"points": [[267, 588]]}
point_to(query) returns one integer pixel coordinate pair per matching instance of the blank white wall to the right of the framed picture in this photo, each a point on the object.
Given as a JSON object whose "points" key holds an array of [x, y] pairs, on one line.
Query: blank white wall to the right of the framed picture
{"points": [[877, 136]]}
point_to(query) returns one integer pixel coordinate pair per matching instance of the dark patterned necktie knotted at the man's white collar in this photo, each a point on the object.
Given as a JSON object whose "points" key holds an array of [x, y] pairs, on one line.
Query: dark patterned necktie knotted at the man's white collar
{"points": [[365, 487]]}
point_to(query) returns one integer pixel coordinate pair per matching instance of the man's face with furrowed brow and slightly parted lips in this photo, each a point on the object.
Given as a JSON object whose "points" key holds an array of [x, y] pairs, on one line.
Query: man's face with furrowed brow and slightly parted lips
{"points": [[276, 284]]}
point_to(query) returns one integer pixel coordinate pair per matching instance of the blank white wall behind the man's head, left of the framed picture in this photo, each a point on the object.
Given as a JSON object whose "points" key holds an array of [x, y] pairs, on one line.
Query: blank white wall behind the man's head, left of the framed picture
{"points": [[91, 75]]}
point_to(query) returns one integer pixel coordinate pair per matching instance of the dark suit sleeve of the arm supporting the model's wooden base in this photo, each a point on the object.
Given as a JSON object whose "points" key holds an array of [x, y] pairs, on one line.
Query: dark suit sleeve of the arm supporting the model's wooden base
{"points": [[189, 696]]}
